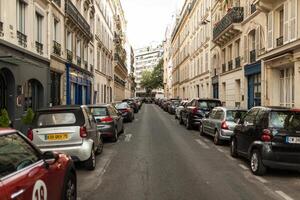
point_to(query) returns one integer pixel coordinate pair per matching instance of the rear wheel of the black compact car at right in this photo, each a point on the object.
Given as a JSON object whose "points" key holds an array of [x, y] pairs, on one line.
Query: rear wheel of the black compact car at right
{"points": [[256, 165]]}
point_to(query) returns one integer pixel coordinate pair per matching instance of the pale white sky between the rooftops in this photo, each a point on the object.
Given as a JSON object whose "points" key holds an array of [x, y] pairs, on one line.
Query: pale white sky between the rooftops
{"points": [[147, 20]]}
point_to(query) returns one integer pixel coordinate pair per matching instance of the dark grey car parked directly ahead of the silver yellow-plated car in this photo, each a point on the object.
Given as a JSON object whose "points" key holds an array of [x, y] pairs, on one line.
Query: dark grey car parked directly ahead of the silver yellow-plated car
{"points": [[109, 121]]}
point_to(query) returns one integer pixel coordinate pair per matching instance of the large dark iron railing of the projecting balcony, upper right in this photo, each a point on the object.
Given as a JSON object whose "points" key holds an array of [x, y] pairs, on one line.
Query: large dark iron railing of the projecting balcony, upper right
{"points": [[234, 15]]}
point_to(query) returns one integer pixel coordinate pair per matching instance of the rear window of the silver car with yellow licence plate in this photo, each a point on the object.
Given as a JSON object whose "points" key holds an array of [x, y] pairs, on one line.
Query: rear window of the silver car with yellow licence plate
{"points": [[54, 119]]}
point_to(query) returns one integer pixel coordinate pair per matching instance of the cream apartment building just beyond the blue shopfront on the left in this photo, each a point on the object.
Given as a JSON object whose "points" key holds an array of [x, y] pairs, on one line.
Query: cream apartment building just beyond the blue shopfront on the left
{"points": [[103, 52]]}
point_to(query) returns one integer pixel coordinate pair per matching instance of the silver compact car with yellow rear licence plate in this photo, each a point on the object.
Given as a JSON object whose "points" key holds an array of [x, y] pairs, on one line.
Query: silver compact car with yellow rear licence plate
{"points": [[68, 129]]}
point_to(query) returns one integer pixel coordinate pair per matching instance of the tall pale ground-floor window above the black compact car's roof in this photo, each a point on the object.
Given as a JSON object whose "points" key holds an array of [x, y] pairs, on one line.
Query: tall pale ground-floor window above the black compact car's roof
{"points": [[287, 87]]}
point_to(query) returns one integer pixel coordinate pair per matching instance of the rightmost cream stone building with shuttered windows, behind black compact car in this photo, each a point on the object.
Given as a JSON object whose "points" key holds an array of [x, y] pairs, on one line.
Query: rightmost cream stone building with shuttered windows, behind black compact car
{"points": [[280, 60]]}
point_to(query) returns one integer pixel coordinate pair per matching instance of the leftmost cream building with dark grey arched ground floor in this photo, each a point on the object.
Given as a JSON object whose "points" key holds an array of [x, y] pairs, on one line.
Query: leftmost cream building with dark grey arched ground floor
{"points": [[24, 57]]}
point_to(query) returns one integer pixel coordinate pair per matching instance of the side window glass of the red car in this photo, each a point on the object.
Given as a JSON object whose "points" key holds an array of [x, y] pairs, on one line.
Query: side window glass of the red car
{"points": [[15, 154]]}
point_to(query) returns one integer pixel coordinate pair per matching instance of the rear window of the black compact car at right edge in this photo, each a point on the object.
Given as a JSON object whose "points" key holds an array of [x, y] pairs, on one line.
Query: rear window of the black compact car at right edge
{"points": [[285, 120]]}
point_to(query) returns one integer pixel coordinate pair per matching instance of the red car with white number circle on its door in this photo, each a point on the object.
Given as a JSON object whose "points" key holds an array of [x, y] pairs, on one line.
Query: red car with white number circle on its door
{"points": [[26, 173]]}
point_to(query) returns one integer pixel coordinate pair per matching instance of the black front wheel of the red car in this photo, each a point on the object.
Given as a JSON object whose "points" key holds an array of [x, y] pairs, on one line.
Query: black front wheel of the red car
{"points": [[70, 191]]}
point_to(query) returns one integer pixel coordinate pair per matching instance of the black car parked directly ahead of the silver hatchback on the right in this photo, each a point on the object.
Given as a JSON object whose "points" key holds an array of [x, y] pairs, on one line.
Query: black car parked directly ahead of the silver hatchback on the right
{"points": [[196, 110]]}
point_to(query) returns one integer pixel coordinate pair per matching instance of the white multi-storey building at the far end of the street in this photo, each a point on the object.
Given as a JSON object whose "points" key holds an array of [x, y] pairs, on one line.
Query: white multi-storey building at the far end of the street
{"points": [[146, 59]]}
